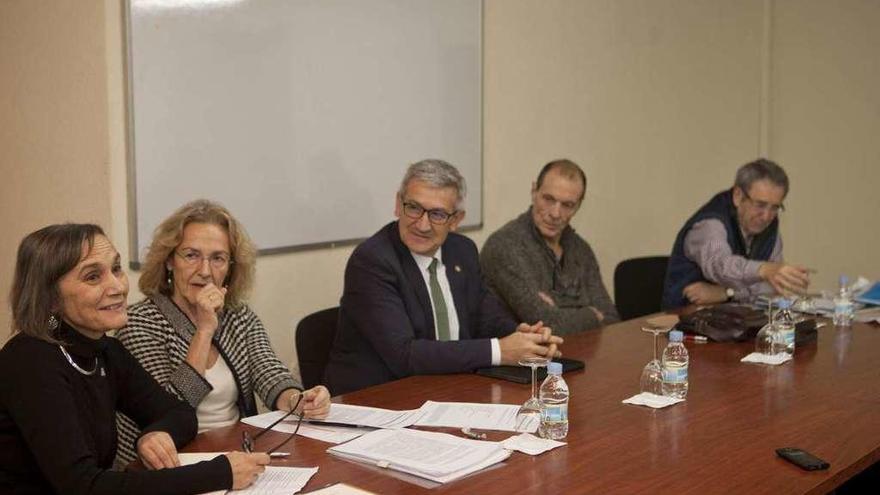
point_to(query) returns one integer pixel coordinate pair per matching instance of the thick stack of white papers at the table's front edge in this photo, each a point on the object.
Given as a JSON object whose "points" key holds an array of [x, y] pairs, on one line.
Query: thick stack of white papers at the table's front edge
{"points": [[435, 456]]}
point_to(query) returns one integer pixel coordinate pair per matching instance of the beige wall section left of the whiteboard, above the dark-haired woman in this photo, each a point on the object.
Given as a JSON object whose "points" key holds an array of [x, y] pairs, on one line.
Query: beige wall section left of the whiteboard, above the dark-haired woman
{"points": [[53, 123]]}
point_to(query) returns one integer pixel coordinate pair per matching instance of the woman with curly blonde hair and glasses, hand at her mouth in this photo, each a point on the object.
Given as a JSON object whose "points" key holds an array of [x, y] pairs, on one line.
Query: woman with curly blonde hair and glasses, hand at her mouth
{"points": [[195, 334]]}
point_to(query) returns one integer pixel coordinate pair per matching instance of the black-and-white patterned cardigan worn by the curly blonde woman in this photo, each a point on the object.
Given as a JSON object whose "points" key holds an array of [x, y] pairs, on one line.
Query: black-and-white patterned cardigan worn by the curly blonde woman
{"points": [[158, 335]]}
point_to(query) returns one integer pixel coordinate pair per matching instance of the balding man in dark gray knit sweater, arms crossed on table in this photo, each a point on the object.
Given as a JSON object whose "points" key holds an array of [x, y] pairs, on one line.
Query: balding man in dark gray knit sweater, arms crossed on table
{"points": [[540, 267]]}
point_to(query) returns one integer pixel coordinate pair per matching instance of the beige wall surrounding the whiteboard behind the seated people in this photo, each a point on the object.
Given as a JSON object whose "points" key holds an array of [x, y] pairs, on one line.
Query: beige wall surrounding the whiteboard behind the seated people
{"points": [[659, 101]]}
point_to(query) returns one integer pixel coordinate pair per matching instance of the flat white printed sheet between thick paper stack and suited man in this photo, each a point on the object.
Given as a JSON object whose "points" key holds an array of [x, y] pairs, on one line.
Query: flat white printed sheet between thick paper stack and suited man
{"points": [[472, 415]]}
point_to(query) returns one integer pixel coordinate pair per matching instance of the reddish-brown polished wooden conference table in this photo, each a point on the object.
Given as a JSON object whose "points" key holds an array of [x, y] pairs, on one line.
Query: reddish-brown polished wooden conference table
{"points": [[721, 440]]}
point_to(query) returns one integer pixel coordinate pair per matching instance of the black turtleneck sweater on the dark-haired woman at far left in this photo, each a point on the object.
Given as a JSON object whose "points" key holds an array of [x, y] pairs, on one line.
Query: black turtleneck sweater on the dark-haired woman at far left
{"points": [[58, 426]]}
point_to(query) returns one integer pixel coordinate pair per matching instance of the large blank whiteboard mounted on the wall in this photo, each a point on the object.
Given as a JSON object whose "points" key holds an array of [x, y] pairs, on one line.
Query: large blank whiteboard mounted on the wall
{"points": [[300, 116]]}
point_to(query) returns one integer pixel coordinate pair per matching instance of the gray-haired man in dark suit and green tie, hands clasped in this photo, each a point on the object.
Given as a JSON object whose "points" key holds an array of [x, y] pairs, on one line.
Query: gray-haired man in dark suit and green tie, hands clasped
{"points": [[414, 301]]}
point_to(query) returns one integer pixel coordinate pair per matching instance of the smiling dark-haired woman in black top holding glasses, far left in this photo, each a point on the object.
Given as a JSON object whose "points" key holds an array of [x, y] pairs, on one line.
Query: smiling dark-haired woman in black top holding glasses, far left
{"points": [[62, 381]]}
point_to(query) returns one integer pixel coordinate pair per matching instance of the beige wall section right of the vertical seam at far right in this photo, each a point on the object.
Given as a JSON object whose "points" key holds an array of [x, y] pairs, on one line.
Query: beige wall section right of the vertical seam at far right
{"points": [[825, 126]]}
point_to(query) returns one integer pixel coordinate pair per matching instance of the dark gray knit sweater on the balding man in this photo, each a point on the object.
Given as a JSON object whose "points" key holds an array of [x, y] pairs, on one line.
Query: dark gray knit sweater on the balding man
{"points": [[517, 264]]}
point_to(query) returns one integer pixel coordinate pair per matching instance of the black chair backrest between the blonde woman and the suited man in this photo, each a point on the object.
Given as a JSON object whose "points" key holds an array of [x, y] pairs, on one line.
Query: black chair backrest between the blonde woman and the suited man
{"points": [[314, 338]]}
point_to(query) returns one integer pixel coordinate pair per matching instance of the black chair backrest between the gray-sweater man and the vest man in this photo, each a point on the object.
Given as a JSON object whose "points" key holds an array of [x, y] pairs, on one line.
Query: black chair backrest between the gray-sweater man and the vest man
{"points": [[638, 286]]}
